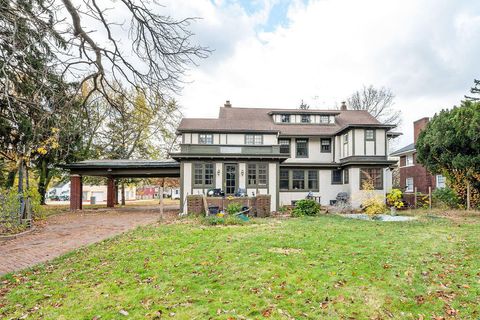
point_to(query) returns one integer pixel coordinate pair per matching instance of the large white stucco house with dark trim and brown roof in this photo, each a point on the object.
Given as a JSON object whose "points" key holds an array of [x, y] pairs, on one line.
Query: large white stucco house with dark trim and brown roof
{"points": [[286, 153]]}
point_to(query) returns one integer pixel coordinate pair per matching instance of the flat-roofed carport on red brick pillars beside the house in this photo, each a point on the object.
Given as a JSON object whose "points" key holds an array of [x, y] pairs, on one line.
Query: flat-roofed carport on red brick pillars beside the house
{"points": [[113, 169]]}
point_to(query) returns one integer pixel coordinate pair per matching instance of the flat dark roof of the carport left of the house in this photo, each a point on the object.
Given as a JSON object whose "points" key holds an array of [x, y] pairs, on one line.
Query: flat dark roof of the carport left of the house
{"points": [[123, 163]]}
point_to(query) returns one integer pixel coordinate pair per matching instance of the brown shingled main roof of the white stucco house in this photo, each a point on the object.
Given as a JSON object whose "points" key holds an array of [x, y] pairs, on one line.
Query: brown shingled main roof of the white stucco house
{"points": [[233, 119]]}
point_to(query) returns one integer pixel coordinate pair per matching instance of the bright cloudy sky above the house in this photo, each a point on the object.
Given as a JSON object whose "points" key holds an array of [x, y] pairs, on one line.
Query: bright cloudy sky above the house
{"points": [[275, 53]]}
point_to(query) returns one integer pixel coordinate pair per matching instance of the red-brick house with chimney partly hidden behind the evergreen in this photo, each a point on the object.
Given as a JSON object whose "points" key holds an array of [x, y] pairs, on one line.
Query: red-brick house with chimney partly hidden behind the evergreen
{"points": [[412, 174]]}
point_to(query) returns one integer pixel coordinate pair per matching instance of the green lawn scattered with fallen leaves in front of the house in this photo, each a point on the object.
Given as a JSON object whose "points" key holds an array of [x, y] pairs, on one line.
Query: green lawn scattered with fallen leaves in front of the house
{"points": [[324, 267]]}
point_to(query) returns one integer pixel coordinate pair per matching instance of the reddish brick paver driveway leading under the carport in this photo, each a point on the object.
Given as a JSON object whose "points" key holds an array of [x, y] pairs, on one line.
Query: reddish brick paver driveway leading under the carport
{"points": [[65, 232]]}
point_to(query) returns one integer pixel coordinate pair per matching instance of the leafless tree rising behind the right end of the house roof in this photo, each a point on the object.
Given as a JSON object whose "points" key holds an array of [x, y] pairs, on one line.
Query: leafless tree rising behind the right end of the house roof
{"points": [[378, 102]]}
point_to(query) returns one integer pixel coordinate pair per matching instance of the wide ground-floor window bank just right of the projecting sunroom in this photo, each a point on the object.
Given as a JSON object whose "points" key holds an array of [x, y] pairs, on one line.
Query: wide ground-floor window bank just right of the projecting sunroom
{"points": [[299, 180]]}
